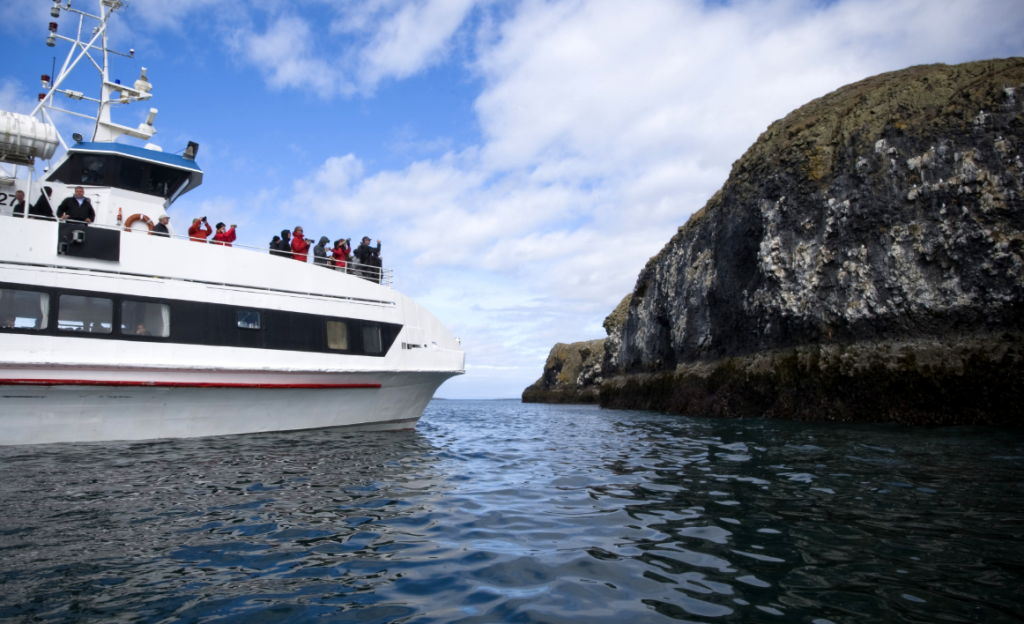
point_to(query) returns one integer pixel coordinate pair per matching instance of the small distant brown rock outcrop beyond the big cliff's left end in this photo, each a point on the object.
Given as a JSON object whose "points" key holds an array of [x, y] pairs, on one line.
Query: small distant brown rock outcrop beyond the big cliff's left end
{"points": [[572, 375]]}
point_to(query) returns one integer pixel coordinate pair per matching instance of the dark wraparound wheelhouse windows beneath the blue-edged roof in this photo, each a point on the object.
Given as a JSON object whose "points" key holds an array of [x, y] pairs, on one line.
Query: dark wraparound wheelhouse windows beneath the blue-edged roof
{"points": [[120, 173]]}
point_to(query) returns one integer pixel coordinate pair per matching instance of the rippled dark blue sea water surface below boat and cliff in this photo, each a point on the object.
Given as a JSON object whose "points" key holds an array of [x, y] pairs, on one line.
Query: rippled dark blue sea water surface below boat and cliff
{"points": [[497, 512]]}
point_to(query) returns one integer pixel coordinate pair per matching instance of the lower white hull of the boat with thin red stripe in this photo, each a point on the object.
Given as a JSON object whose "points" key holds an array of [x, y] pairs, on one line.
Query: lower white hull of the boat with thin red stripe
{"points": [[41, 409]]}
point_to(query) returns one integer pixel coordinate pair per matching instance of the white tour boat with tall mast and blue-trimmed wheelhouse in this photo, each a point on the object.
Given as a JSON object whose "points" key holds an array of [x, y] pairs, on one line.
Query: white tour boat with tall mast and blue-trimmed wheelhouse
{"points": [[109, 332]]}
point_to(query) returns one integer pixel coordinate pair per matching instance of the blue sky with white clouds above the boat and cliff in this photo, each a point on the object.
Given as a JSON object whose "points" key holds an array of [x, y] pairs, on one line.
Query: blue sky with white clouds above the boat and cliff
{"points": [[520, 160]]}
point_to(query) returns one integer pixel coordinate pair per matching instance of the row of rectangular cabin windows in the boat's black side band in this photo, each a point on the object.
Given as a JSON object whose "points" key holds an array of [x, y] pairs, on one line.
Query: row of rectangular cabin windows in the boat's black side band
{"points": [[30, 310]]}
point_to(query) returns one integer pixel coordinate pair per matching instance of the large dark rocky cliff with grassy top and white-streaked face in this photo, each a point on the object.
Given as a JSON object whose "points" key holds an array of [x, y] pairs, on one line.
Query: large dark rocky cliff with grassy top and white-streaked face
{"points": [[864, 262]]}
